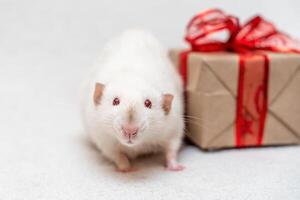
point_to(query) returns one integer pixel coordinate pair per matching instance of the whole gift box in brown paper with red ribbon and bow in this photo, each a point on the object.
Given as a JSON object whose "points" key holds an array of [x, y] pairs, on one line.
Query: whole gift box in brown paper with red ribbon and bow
{"points": [[238, 94]]}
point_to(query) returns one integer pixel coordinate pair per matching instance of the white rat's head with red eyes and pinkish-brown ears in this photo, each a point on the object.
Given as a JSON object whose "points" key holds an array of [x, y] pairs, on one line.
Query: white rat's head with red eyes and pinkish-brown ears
{"points": [[133, 114]]}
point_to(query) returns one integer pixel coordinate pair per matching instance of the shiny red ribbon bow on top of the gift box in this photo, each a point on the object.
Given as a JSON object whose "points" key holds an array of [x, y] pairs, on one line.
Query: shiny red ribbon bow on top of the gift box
{"points": [[257, 34]]}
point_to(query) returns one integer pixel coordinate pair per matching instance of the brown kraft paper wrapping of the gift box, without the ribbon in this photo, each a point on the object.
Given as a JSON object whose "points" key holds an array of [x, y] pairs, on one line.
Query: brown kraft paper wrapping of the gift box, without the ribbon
{"points": [[211, 89]]}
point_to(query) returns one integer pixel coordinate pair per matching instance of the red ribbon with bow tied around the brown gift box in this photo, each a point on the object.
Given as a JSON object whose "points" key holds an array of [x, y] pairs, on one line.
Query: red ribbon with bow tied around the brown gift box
{"points": [[203, 34]]}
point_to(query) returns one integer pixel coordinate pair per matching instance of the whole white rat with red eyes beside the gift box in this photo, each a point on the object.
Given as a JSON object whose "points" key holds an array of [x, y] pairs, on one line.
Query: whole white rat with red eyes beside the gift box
{"points": [[132, 102]]}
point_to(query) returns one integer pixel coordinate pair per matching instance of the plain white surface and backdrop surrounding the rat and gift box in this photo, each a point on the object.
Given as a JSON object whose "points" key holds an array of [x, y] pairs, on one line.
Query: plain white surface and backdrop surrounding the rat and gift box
{"points": [[45, 48]]}
